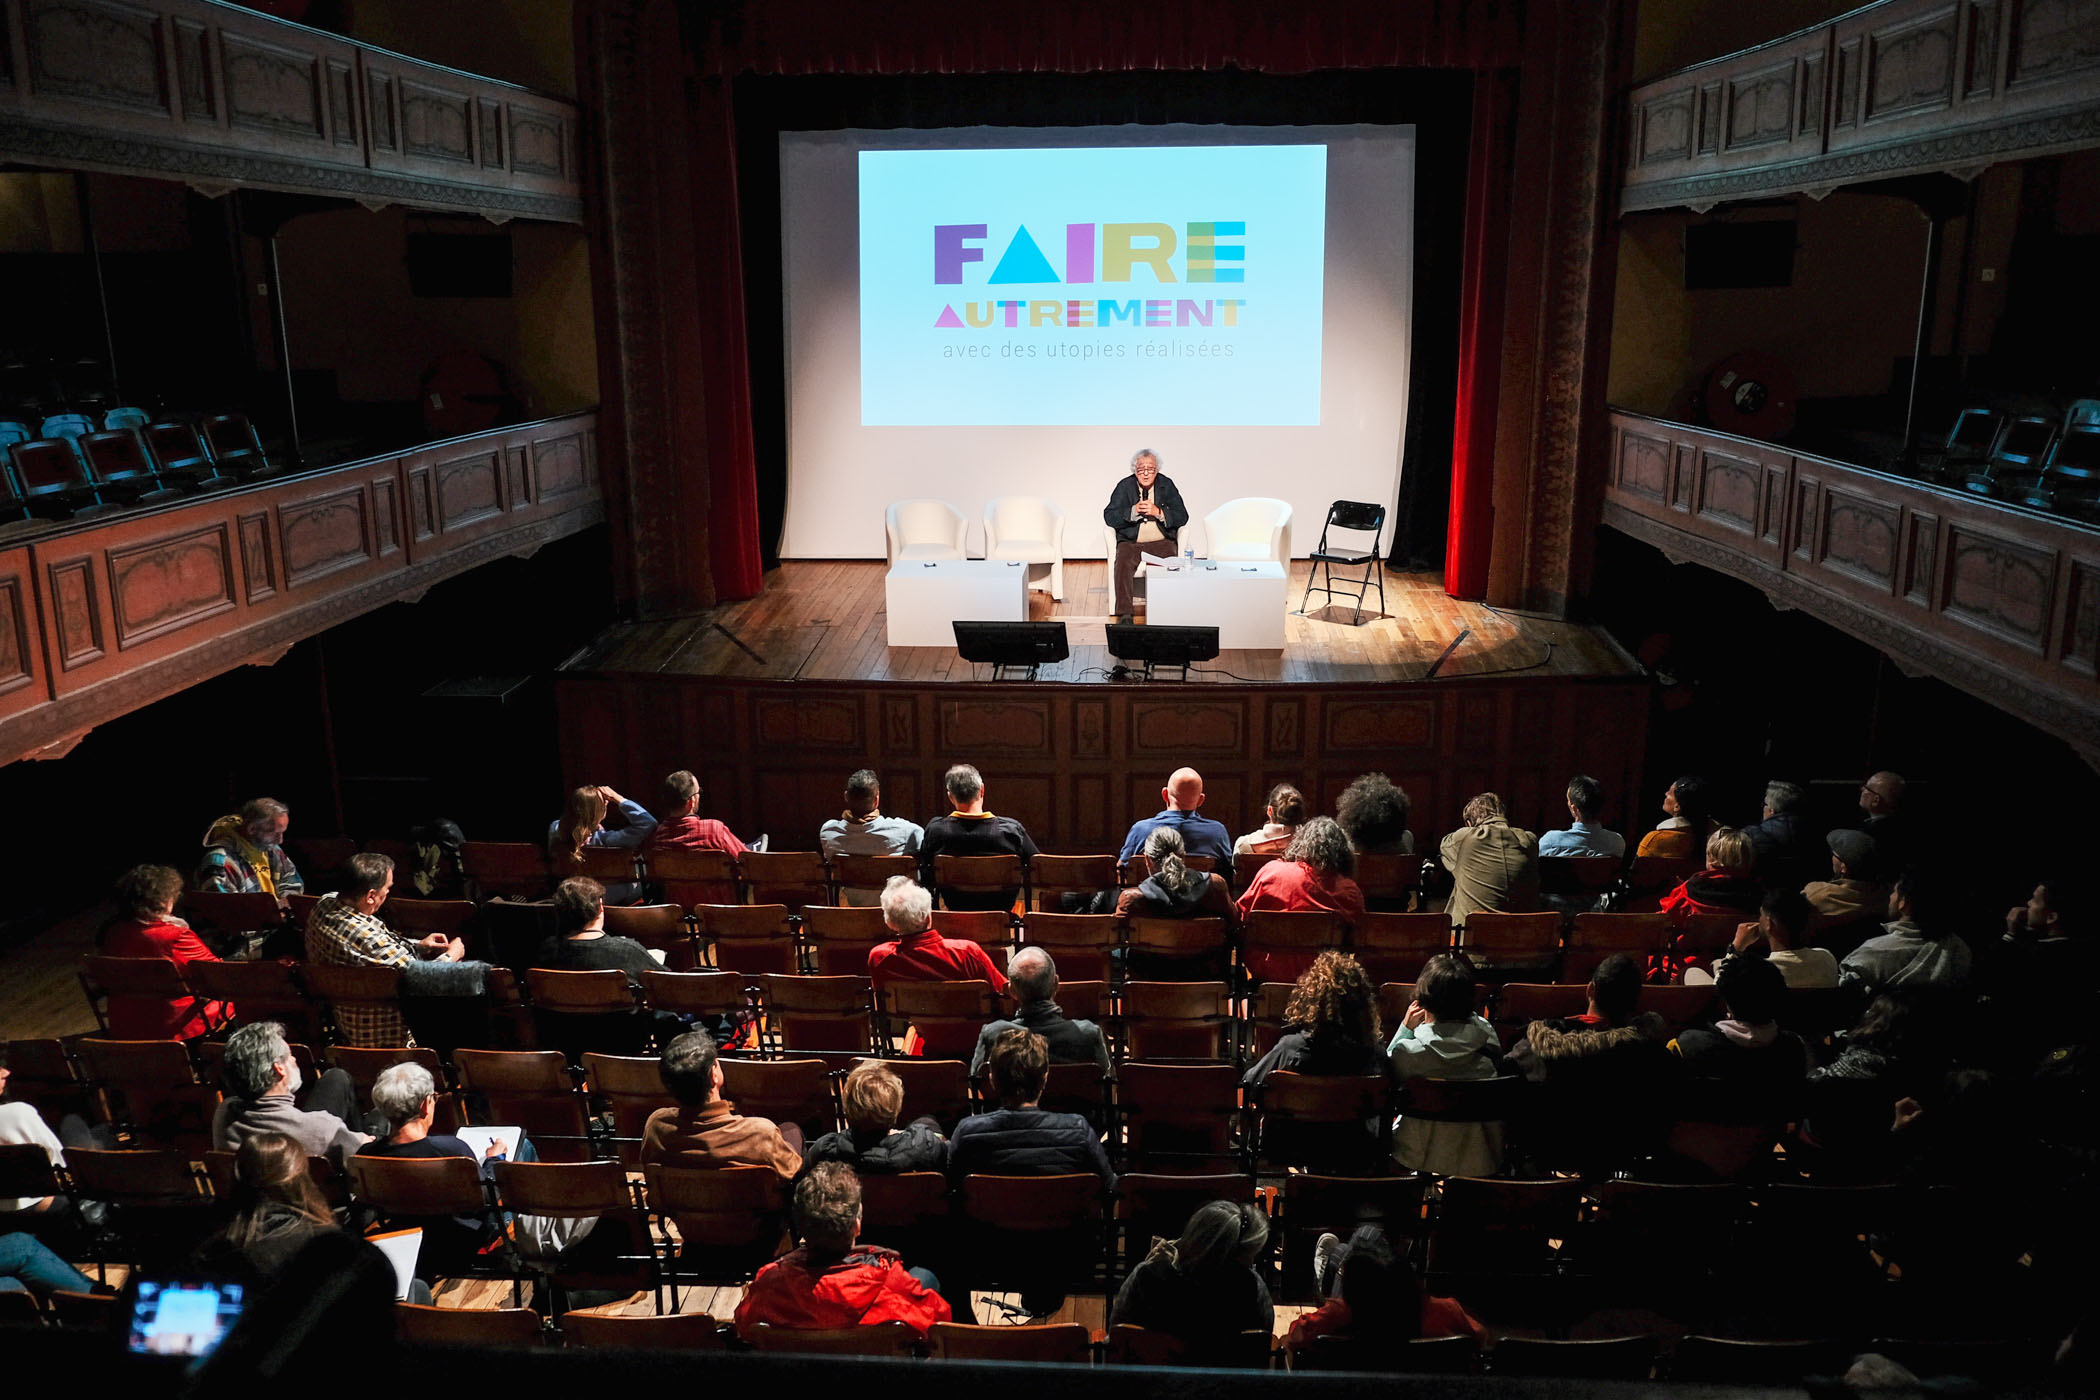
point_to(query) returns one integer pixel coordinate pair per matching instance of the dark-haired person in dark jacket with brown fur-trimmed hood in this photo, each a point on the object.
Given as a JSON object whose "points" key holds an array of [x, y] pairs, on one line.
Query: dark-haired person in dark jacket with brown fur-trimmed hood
{"points": [[1601, 1074]]}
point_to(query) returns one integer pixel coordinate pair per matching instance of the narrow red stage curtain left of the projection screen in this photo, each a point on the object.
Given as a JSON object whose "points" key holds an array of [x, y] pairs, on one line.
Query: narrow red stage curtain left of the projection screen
{"points": [[734, 549]]}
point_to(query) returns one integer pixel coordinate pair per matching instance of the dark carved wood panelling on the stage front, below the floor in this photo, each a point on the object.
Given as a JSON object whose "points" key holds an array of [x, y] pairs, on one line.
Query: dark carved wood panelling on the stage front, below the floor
{"points": [[1080, 763]]}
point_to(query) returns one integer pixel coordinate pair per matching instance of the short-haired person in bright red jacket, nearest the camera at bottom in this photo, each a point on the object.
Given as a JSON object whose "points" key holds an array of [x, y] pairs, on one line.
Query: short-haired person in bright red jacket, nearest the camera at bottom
{"points": [[833, 1279]]}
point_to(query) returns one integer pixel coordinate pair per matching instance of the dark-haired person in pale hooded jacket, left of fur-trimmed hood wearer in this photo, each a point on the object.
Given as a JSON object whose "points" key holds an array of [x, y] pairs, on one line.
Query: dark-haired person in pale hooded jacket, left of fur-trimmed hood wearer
{"points": [[1444, 1038]]}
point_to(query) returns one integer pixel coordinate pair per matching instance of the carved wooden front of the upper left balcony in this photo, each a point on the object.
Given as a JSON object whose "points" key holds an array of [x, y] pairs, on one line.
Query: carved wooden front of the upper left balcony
{"points": [[224, 98]]}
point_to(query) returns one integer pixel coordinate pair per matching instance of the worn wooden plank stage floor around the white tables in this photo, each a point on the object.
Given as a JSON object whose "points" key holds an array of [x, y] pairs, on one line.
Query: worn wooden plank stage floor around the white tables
{"points": [[824, 620]]}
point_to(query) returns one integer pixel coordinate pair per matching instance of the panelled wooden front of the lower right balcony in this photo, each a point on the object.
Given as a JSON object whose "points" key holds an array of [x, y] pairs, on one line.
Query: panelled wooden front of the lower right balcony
{"points": [[1988, 597]]}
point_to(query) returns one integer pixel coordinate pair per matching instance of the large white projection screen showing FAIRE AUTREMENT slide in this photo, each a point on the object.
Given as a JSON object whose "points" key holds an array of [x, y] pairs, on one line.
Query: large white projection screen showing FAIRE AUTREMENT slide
{"points": [[1015, 312]]}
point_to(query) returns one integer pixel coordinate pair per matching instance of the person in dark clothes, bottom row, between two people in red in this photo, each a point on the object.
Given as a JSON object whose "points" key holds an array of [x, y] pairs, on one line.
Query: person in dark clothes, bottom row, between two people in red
{"points": [[1206, 1288]]}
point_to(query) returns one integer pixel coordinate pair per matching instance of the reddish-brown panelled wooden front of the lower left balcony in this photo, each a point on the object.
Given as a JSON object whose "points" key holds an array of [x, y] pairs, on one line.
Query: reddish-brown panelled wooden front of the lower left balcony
{"points": [[106, 616]]}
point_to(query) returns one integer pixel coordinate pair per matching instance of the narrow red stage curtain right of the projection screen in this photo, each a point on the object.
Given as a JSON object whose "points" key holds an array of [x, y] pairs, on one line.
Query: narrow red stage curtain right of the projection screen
{"points": [[1479, 337]]}
